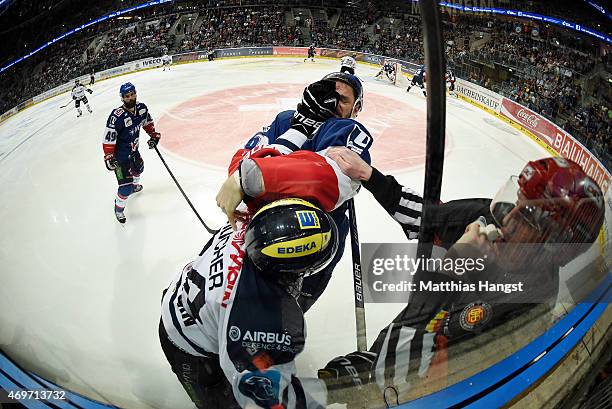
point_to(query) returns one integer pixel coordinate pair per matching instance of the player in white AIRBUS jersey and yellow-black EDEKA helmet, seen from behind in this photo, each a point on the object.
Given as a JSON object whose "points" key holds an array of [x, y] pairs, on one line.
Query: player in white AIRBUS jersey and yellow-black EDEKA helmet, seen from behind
{"points": [[231, 326]]}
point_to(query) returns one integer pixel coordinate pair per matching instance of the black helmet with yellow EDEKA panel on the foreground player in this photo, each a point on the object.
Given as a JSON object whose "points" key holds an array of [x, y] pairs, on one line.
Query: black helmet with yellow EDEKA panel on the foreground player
{"points": [[291, 238]]}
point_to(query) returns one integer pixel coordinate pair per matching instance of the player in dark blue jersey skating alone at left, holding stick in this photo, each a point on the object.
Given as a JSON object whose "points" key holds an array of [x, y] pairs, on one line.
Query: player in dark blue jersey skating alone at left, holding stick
{"points": [[120, 145]]}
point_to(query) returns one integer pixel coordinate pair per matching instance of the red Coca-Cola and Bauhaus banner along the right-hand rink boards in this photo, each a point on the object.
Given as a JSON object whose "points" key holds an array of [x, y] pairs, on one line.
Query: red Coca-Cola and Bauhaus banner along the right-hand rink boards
{"points": [[556, 139]]}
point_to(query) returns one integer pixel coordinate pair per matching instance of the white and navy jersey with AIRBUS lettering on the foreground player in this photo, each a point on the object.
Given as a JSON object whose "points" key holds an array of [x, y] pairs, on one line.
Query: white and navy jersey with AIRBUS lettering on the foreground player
{"points": [[219, 304]]}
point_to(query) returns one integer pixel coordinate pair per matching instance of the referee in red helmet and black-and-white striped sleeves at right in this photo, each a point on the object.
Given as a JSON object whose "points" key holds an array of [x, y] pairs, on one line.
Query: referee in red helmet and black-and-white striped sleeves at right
{"points": [[538, 221]]}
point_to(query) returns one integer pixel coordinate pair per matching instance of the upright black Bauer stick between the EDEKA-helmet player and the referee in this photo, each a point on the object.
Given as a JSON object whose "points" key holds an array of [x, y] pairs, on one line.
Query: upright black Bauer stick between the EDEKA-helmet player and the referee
{"points": [[362, 344]]}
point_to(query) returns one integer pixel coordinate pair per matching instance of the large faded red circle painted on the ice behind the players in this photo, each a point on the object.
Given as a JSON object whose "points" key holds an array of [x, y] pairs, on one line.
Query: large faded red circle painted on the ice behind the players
{"points": [[210, 128]]}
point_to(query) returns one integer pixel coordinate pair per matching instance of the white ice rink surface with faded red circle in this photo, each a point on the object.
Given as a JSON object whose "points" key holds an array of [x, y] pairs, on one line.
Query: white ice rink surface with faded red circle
{"points": [[80, 293]]}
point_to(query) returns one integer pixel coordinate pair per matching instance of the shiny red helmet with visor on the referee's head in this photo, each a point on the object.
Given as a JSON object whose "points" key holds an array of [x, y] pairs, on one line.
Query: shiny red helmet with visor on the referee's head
{"points": [[557, 198]]}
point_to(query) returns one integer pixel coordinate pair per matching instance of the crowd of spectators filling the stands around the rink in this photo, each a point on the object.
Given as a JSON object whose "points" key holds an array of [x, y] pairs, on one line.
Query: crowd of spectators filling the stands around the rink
{"points": [[545, 67]]}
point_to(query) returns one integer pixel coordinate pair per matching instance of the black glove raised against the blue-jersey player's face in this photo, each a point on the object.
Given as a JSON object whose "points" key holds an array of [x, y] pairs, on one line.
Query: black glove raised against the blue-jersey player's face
{"points": [[319, 102]]}
